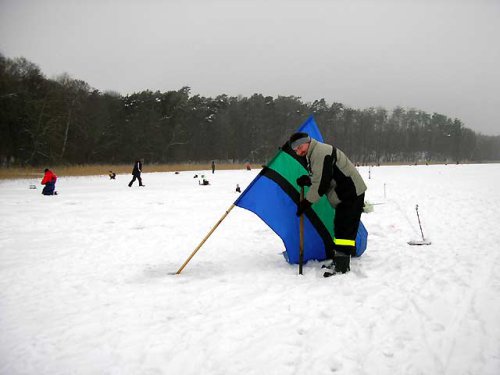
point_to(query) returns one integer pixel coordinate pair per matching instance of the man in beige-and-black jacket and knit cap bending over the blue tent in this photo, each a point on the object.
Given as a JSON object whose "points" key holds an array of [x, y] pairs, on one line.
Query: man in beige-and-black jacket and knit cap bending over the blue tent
{"points": [[332, 174]]}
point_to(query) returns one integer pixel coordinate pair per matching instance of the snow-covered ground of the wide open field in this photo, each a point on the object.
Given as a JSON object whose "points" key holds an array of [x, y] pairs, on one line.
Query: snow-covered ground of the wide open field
{"points": [[86, 284]]}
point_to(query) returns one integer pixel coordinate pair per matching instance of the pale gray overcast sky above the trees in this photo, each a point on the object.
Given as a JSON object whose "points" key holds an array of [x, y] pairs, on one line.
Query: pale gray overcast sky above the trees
{"points": [[434, 55]]}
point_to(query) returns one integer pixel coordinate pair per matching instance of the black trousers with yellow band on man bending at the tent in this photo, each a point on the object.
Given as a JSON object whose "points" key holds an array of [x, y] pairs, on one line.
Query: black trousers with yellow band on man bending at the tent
{"points": [[346, 223]]}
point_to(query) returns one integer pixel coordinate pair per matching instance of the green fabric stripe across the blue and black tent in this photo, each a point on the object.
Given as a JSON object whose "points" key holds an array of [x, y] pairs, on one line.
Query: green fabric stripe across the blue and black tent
{"points": [[290, 169]]}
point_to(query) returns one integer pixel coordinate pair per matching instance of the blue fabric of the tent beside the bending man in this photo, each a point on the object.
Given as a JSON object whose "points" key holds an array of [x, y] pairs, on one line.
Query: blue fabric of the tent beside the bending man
{"points": [[274, 200]]}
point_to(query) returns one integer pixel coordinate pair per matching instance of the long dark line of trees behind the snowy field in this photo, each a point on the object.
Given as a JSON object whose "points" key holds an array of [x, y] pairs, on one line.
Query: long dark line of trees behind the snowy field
{"points": [[65, 121]]}
